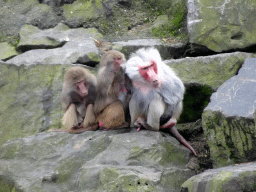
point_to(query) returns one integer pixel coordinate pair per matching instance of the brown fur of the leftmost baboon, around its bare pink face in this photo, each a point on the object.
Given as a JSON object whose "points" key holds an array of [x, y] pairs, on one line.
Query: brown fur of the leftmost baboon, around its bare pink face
{"points": [[78, 111]]}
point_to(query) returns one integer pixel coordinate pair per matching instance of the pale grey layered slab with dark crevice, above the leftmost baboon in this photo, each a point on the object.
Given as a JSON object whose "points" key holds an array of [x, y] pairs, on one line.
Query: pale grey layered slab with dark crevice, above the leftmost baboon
{"points": [[64, 46]]}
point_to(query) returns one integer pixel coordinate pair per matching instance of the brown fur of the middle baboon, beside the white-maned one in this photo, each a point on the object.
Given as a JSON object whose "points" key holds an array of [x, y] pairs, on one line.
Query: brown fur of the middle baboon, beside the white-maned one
{"points": [[110, 83]]}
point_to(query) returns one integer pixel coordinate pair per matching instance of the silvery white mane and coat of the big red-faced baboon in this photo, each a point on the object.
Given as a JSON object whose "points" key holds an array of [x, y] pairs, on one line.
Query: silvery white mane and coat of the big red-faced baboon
{"points": [[171, 88]]}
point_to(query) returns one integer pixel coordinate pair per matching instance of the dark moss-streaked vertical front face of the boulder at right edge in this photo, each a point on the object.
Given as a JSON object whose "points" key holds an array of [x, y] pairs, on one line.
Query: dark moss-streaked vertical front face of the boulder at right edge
{"points": [[230, 139]]}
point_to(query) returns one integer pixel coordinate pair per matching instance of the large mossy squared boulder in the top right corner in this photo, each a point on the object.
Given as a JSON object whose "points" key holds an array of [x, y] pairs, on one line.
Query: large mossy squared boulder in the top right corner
{"points": [[222, 25]]}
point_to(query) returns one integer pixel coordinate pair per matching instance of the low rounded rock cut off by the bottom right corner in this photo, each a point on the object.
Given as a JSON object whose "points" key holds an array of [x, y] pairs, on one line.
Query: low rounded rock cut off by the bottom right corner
{"points": [[230, 179]]}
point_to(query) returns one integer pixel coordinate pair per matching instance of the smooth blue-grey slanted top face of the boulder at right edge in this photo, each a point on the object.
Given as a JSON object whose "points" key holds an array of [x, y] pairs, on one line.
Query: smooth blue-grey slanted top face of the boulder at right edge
{"points": [[237, 96]]}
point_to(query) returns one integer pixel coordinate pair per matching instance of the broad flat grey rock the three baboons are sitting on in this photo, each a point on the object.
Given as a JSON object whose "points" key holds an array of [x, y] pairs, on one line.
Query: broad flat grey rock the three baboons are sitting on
{"points": [[116, 160]]}
